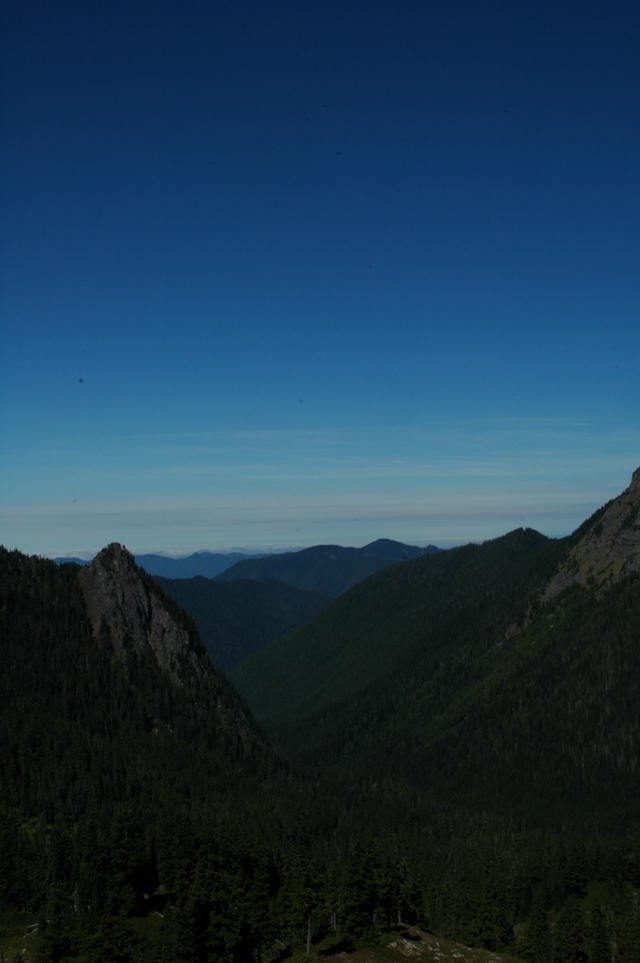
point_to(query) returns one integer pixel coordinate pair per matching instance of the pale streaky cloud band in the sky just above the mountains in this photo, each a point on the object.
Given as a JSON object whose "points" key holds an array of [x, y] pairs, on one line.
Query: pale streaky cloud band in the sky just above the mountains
{"points": [[445, 484]]}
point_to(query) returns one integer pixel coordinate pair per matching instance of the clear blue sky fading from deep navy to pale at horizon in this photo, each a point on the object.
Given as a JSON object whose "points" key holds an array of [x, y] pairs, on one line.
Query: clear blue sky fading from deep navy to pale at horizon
{"points": [[282, 273]]}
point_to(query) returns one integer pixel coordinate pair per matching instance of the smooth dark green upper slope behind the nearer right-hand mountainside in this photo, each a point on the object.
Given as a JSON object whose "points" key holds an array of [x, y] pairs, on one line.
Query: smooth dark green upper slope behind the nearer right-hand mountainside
{"points": [[399, 621]]}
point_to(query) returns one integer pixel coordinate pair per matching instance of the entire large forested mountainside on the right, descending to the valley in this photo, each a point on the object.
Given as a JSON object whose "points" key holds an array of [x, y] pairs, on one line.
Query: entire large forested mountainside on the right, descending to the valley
{"points": [[463, 672]]}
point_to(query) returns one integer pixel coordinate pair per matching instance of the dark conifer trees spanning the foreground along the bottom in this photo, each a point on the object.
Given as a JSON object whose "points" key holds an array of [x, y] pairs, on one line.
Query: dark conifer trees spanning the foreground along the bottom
{"points": [[131, 885]]}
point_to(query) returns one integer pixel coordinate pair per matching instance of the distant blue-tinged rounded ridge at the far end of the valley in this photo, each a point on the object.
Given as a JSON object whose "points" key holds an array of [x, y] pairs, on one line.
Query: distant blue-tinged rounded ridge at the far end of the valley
{"points": [[327, 569]]}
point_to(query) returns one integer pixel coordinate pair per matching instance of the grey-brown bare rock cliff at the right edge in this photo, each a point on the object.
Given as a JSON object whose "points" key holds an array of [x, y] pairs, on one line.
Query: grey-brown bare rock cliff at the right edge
{"points": [[610, 550]]}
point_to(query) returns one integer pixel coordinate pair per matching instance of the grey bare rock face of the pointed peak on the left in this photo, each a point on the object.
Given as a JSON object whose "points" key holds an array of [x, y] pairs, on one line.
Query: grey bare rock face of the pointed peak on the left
{"points": [[117, 597]]}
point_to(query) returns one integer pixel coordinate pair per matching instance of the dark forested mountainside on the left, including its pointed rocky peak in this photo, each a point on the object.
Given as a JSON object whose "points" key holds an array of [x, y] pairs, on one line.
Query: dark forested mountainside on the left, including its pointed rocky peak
{"points": [[98, 665]]}
